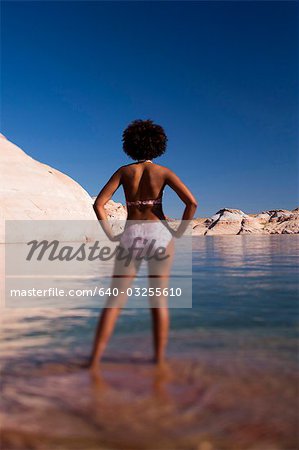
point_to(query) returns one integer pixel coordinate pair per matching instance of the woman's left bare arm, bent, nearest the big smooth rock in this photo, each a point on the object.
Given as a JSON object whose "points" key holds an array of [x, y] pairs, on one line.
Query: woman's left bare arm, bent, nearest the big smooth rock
{"points": [[104, 196]]}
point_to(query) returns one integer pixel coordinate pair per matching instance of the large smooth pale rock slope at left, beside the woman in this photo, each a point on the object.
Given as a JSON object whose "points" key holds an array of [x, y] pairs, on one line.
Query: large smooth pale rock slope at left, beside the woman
{"points": [[31, 190]]}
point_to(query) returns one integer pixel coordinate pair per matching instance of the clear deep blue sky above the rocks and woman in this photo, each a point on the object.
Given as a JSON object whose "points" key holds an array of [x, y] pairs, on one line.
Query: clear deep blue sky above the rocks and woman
{"points": [[220, 77]]}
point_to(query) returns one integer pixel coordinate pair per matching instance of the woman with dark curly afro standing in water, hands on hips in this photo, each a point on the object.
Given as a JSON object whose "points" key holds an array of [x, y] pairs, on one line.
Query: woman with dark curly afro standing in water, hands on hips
{"points": [[143, 182]]}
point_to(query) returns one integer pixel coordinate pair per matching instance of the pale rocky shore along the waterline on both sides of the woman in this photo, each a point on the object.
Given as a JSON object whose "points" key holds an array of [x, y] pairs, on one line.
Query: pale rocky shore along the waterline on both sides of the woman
{"points": [[31, 190]]}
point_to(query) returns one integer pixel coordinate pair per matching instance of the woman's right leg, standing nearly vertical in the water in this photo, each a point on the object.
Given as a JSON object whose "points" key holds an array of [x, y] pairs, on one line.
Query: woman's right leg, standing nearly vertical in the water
{"points": [[159, 278]]}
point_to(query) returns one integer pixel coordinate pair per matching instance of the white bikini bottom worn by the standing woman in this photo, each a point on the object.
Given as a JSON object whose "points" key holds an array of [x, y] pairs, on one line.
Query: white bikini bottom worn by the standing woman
{"points": [[147, 236]]}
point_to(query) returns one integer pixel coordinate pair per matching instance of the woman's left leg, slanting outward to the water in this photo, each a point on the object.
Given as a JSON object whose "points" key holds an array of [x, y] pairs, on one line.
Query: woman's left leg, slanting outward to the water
{"points": [[122, 280]]}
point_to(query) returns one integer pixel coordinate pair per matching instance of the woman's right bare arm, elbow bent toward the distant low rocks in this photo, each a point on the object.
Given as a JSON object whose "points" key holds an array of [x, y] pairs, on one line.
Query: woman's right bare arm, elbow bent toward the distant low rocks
{"points": [[173, 181]]}
